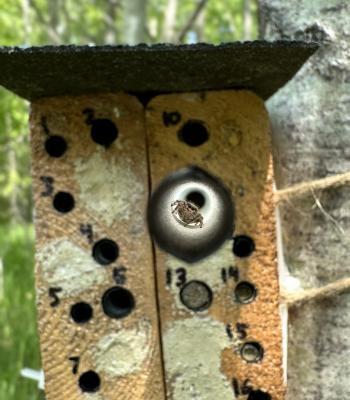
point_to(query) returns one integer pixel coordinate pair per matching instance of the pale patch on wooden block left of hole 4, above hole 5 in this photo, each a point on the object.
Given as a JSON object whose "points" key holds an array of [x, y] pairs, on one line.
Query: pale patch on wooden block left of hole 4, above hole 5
{"points": [[64, 264]]}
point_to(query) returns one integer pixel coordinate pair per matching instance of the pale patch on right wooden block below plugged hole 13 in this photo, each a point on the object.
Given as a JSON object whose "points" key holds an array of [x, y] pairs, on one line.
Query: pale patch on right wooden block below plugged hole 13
{"points": [[193, 359]]}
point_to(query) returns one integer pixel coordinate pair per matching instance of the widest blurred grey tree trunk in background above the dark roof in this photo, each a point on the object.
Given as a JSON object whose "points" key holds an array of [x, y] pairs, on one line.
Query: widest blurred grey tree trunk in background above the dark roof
{"points": [[135, 21]]}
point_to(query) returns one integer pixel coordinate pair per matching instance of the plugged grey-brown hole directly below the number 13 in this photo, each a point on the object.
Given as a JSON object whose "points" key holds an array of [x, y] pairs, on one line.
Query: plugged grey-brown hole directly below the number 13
{"points": [[196, 295]]}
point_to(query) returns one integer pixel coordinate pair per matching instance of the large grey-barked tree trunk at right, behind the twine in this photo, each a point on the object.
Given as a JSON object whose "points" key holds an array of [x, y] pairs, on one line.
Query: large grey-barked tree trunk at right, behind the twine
{"points": [[311, 134]]}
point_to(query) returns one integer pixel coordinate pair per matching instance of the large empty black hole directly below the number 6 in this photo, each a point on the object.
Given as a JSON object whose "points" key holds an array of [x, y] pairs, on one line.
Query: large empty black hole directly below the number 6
{"points": [[118, 302]]}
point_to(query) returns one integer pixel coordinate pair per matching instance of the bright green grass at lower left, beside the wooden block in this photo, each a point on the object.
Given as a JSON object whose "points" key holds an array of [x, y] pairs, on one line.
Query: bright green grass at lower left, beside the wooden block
{"points": [[18, 335]]}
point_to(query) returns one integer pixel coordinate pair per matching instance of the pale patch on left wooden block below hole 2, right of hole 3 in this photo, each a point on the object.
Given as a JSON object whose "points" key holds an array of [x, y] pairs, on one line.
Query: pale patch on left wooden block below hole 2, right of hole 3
{"points": [[111, 198]]}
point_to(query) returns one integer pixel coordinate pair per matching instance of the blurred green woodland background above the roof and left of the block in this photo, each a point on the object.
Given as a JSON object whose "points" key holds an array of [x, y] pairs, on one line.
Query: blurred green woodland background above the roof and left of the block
{"points": [[38, 22]]}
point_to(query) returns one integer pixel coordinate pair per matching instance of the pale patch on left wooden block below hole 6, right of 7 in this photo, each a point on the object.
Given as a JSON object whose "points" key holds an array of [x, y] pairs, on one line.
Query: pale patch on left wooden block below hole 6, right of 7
{"points": [[123, 352]]}
